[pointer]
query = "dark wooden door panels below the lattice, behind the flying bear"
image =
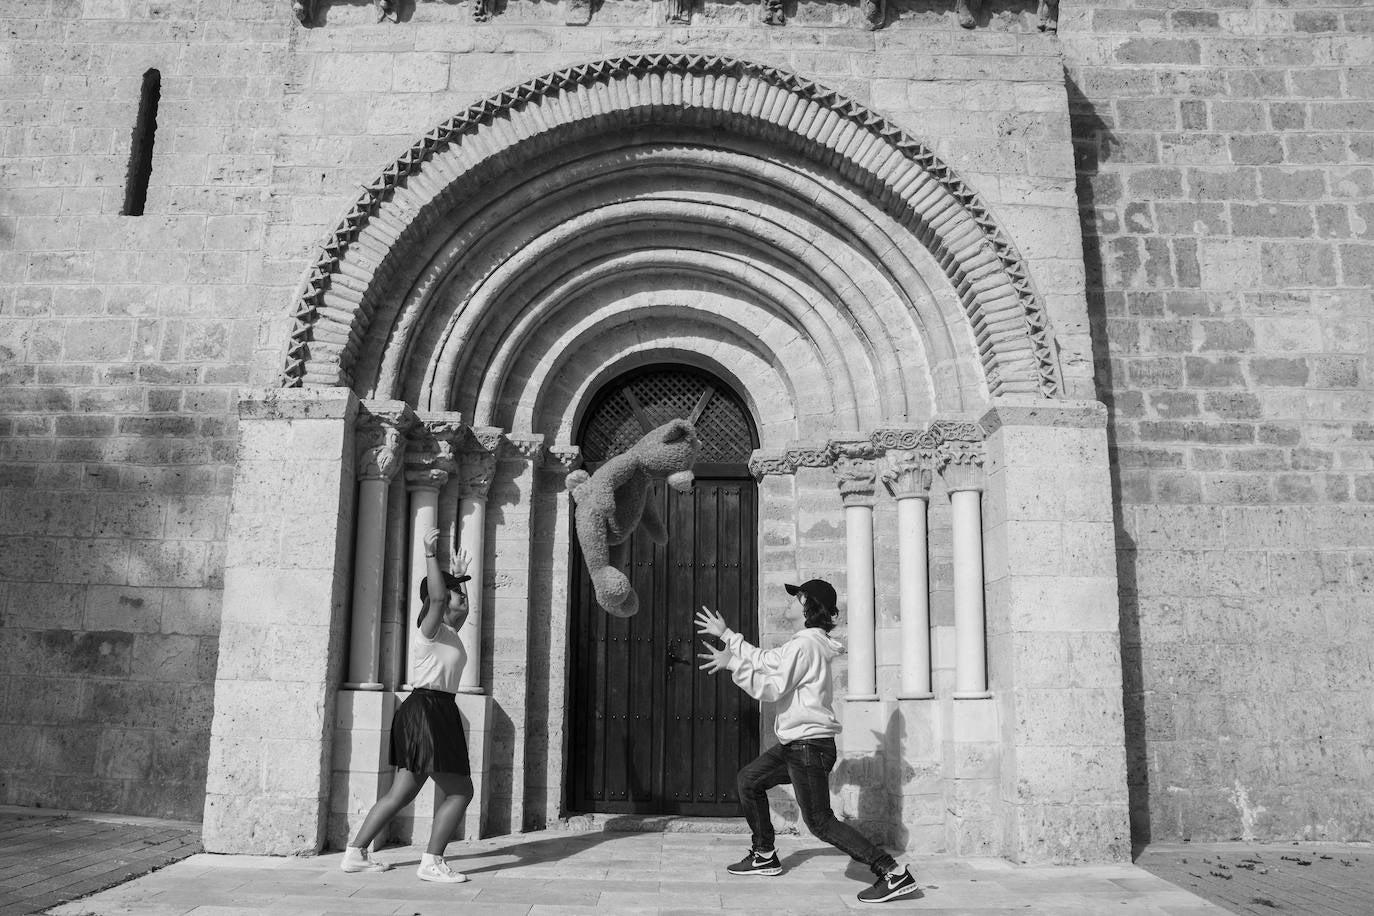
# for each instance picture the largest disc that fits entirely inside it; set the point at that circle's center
(651, 734)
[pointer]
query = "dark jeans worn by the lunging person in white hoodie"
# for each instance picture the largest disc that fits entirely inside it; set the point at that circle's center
(807, 766)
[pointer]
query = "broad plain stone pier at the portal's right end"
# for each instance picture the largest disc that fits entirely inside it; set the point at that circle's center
(1053, 617)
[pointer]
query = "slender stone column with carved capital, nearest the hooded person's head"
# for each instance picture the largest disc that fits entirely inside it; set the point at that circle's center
(857, 474)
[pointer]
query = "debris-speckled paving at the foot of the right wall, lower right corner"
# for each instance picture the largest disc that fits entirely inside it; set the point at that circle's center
(1270, 878)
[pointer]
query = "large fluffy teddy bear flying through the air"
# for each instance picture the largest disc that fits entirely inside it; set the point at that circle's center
(615, 501)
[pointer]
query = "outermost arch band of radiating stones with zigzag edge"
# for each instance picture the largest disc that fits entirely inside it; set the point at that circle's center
(1011, 325)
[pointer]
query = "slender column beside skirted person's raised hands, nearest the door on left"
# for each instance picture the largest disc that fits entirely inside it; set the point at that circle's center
(477, 466)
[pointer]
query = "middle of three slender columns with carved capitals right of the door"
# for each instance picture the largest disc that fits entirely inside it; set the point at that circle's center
(908, 479)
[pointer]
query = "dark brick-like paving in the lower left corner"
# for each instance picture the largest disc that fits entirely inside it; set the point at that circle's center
(49, 858)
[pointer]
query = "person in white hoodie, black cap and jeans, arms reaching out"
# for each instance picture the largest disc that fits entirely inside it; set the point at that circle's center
(798, 678)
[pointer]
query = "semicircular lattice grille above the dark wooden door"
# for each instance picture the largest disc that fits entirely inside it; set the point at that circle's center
(649, 400)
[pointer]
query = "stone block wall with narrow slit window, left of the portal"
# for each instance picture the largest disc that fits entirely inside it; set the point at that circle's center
(123, 341)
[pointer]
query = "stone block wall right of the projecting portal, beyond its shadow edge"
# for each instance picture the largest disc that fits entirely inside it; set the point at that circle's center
(1226, 175)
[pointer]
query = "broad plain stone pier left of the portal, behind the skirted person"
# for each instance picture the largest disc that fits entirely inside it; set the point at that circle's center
(286, 586)
